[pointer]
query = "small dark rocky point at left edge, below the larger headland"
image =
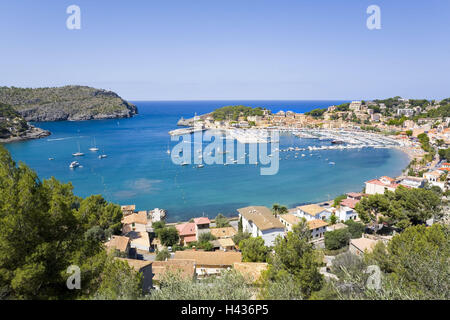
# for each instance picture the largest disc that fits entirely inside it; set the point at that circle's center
(13, 127)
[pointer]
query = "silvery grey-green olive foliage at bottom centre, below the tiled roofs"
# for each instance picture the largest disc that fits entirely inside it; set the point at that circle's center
(230, 285)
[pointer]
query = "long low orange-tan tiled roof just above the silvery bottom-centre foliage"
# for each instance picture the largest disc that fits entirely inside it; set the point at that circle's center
(210, 258)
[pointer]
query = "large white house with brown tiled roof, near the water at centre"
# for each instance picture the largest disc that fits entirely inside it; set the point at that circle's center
(260, 222)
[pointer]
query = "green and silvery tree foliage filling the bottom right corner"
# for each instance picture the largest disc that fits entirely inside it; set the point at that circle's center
(414, 265)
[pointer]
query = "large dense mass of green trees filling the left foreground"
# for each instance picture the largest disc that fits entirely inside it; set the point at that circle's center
(45, 228)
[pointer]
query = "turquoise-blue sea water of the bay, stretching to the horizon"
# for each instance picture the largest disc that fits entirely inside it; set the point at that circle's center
(139, 171)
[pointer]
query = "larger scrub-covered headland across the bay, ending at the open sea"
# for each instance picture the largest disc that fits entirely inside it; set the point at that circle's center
(66, 103)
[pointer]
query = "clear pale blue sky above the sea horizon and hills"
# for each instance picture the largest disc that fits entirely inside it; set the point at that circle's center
(230, 49)
